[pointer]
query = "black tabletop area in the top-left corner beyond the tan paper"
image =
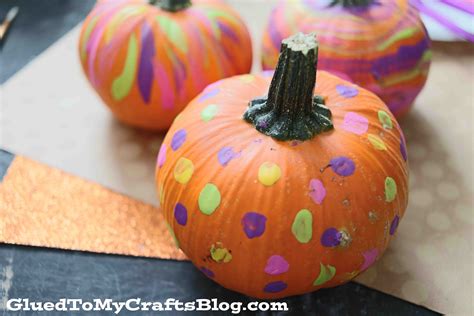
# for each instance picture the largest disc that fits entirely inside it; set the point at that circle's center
(39, 24)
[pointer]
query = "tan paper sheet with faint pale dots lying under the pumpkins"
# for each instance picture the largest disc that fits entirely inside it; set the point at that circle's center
(50, 113)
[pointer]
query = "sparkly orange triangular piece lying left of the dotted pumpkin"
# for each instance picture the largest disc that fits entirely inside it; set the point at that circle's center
(43, 206)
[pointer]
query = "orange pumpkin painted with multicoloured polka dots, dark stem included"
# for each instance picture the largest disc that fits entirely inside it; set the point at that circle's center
(287, 193)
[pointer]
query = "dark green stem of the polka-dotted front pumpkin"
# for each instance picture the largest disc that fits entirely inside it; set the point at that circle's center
(291, 111)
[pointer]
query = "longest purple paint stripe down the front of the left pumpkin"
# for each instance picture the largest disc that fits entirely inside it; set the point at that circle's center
(145, 70)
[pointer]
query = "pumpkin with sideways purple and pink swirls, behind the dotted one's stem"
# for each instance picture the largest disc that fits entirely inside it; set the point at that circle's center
(380, 45)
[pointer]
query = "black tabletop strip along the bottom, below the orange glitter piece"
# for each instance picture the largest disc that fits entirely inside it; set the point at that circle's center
(47, 274)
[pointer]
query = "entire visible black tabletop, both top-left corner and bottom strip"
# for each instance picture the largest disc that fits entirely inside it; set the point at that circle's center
(46, 274)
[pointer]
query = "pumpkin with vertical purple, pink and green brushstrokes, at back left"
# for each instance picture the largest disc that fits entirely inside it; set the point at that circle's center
(147, 61)
